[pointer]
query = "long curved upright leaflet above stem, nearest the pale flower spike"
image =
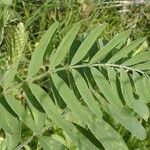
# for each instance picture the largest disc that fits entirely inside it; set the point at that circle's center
(38, 54)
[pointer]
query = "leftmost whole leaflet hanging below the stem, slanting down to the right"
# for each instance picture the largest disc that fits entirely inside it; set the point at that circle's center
(21, 113)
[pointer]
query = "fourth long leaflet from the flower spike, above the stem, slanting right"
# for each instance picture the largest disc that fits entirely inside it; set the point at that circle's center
(118, 39)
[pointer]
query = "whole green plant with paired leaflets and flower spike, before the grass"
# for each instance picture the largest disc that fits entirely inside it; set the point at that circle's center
(71, 94)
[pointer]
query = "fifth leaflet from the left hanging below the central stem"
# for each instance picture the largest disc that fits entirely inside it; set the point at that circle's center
(105, 88)
